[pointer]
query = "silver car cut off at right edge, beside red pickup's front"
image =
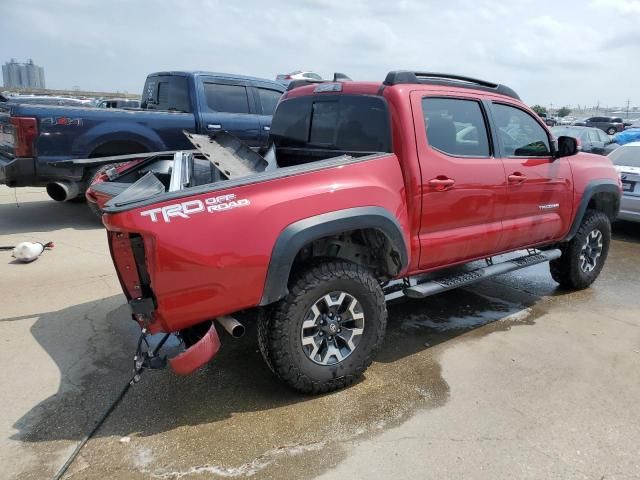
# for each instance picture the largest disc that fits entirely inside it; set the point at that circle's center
(627, 161)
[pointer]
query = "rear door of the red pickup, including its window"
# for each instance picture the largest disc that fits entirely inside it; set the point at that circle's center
(463, 185)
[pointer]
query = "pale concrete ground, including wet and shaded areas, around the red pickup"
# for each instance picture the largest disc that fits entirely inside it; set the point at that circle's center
(512, 378)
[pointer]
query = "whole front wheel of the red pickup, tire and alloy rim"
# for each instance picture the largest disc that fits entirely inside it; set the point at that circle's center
(584, 256)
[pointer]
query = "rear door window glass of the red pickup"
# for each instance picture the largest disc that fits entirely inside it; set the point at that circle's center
(456, 127)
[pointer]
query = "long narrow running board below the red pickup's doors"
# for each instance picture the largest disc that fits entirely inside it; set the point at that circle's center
(459, 280)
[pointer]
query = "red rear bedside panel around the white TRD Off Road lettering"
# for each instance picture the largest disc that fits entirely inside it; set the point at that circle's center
(215, 263)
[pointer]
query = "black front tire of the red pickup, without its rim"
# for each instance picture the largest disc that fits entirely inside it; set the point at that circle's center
(566, 269)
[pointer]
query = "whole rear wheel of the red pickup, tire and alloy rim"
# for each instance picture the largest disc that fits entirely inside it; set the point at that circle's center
(323, 335)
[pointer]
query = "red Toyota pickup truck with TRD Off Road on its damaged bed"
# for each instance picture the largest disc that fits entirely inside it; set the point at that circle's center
(375, 190)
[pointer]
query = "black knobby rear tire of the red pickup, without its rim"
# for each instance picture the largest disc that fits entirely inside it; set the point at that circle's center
(279, 327)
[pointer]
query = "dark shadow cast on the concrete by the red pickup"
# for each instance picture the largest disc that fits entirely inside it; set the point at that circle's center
(92, 345)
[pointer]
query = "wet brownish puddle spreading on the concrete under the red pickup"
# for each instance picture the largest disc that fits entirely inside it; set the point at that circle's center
(233, 419)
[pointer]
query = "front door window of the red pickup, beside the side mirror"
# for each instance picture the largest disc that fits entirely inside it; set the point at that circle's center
(520, 134)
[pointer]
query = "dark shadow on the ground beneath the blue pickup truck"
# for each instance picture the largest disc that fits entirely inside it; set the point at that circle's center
(45, 216)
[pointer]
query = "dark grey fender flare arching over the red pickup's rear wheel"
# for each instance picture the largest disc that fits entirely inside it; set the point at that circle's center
(300, 233)
